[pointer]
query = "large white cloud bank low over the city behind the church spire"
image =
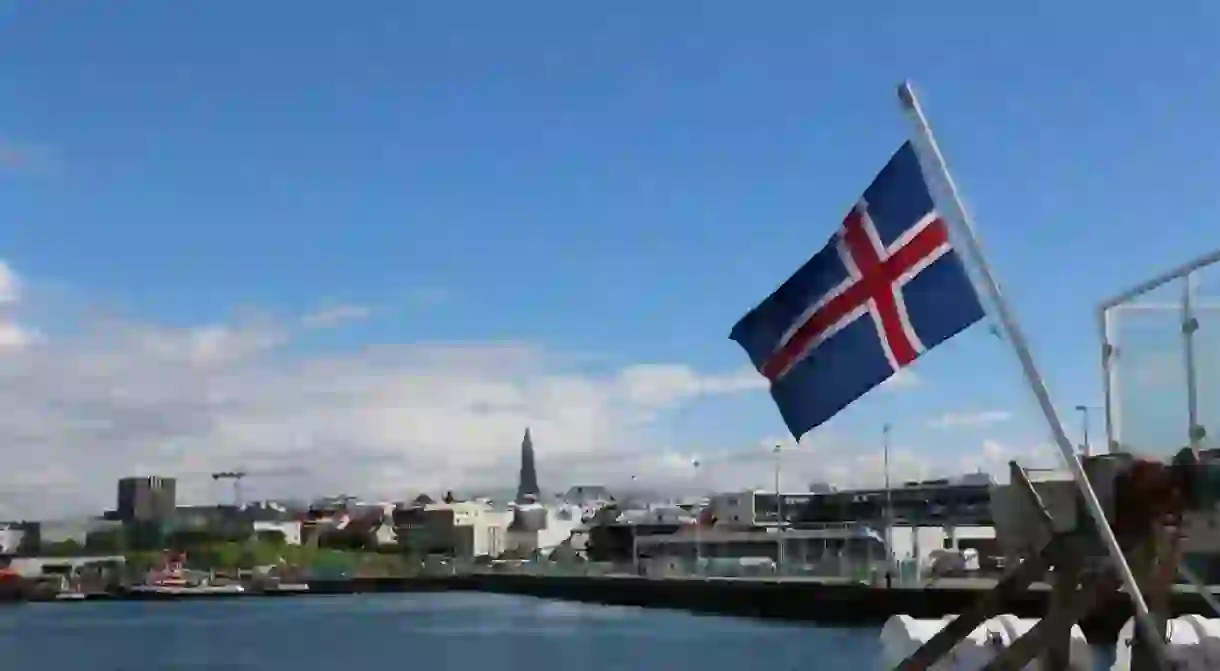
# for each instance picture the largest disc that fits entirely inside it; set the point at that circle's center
(121, 398)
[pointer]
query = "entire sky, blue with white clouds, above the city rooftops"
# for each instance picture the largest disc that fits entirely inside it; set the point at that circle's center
(380, 242)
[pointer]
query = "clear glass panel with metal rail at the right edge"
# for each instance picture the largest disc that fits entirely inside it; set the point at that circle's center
(1161, 362)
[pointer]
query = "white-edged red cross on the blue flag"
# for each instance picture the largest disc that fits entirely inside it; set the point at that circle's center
(875, 286)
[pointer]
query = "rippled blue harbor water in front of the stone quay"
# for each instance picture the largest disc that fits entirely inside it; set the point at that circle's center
(409, 631)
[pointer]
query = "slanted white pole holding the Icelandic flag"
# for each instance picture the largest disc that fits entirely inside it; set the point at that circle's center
(1038, 385)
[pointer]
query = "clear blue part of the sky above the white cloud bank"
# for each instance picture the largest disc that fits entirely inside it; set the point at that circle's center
(615, 182)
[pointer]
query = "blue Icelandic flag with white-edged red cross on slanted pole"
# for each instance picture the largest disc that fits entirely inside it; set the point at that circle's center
(886, 289)
